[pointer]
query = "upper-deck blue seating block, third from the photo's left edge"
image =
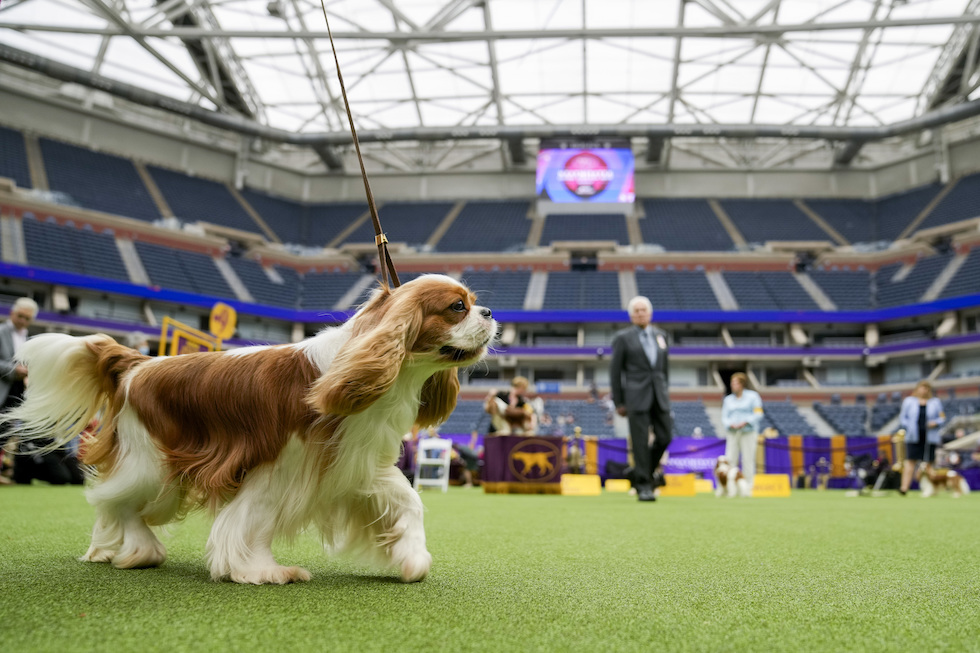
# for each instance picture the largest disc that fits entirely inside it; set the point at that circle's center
(195, 199)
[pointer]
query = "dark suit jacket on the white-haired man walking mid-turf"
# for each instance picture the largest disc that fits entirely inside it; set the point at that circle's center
(635, 383)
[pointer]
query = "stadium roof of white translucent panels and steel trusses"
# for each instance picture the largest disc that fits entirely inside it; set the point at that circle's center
(443, 85)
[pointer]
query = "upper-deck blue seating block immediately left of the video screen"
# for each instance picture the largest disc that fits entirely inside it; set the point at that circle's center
(487, 226)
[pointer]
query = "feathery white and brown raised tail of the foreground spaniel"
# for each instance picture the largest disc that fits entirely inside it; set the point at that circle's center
(70, 381)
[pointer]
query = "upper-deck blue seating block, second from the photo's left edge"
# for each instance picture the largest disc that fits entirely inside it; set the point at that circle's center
(97, 181)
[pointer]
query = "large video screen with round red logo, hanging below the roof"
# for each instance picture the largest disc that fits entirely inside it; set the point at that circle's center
(585, 172)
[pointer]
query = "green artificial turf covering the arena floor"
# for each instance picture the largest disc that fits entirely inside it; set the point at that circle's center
(819, 571)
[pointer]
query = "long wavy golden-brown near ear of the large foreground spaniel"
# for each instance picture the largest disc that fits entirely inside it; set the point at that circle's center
(369, 363)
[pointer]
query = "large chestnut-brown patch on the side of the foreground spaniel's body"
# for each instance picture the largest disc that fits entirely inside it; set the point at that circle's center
(217, 416)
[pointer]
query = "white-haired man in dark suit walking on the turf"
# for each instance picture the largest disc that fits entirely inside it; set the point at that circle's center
(638, 374)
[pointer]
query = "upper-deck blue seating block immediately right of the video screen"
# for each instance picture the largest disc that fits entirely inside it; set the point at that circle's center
(684, 225)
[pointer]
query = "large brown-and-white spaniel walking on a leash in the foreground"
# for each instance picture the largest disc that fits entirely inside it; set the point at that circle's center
(273, 439)
